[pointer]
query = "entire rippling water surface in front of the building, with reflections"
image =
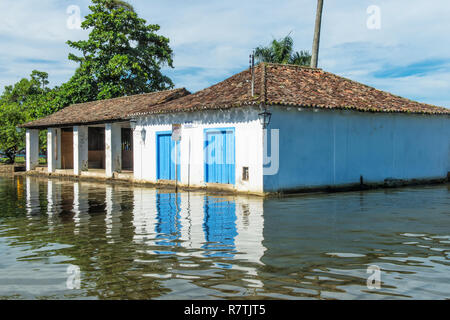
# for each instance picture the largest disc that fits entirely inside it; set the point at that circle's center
(138, 243)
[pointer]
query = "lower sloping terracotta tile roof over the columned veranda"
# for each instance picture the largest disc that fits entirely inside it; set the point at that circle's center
(105, 110)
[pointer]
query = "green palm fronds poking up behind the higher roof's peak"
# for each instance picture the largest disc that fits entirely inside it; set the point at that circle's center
(282, 51)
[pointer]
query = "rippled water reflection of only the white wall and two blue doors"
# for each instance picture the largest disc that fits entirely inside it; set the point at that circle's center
(207, 226)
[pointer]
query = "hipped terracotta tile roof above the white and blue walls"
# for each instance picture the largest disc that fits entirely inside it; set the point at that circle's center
(290, 85)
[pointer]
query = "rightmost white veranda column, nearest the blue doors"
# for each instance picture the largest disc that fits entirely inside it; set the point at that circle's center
(113, 149)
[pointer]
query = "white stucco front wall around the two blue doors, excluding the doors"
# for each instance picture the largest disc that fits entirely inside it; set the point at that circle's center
(248, 140)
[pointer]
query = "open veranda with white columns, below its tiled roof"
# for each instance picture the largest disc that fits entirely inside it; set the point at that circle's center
(96, 150)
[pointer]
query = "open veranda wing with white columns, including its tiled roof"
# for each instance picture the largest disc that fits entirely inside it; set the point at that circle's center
(93, 138)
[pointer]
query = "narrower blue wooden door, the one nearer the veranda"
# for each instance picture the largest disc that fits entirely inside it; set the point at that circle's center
(165, 161)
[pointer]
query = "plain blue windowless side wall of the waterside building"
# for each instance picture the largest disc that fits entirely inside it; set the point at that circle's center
(332, 148)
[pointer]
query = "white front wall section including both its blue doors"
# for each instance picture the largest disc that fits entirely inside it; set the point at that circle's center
(214, 149)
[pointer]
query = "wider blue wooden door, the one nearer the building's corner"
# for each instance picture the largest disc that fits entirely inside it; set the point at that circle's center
(220, 156)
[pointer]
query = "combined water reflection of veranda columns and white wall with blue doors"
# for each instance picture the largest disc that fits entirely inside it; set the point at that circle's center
(207, 226)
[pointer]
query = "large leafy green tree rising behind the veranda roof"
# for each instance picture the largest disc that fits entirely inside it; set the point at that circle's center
(123, 55)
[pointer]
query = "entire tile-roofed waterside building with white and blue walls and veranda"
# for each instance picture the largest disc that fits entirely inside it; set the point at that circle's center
(298, 129)
